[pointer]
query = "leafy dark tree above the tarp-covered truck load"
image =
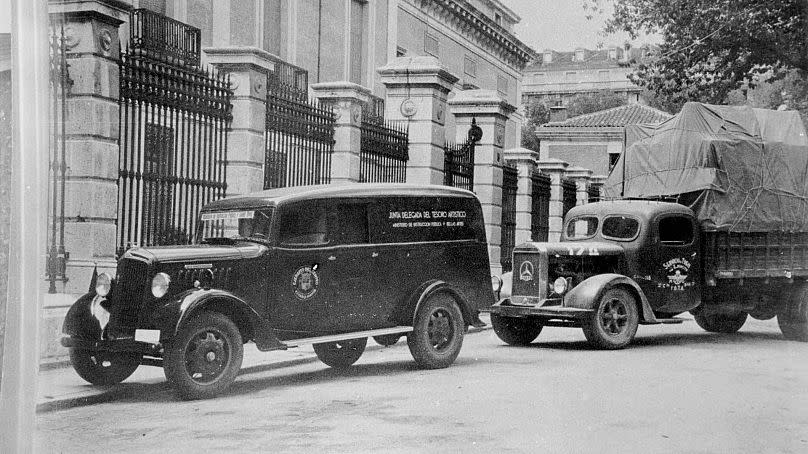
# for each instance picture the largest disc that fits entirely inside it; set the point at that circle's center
(711, 47)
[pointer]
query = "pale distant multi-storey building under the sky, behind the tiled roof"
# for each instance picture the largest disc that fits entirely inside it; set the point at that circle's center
(558, 76)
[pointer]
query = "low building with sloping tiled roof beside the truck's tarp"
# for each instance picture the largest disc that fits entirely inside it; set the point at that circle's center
(594, 141)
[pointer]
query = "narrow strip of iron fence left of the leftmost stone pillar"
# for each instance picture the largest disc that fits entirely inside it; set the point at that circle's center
(59, 85)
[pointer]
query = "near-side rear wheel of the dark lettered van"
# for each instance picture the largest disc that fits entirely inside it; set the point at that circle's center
(437, 333)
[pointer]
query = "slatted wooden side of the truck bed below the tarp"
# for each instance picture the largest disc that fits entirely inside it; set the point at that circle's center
(732, 255)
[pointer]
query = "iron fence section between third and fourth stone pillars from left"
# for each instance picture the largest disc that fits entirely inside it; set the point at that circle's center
(384, 149)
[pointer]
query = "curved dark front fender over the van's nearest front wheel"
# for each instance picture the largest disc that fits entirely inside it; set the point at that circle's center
(179, 310)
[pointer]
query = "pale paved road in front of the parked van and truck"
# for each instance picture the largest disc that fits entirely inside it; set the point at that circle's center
(677, 389)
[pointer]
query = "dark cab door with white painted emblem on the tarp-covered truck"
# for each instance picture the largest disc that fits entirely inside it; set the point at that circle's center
(675, 264)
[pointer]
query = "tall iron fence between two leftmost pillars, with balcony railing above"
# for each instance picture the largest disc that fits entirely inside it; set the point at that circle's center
(174, 117)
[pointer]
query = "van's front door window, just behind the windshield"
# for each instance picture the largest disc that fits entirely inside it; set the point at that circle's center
(304, 224)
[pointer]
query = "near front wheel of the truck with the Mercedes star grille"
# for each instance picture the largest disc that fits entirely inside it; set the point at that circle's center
(614, 321)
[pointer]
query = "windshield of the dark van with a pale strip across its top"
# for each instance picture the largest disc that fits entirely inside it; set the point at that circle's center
(240, 224)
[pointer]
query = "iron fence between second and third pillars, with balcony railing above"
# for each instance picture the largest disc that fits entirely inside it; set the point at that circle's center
(299, 133)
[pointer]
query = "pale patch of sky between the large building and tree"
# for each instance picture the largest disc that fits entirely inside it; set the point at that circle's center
(561, 25)
